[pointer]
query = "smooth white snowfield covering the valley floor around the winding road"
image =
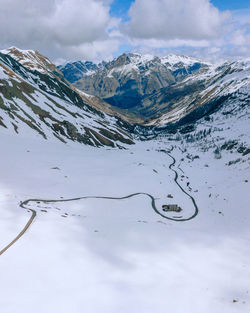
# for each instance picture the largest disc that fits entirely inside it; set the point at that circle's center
(96, 255)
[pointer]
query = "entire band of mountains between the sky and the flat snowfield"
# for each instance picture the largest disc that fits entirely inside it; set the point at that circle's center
(107, 103)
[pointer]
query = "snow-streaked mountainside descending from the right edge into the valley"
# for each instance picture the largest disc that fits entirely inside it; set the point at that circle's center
(199, 94)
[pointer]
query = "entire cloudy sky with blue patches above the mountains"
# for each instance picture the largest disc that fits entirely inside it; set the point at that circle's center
(101, 29)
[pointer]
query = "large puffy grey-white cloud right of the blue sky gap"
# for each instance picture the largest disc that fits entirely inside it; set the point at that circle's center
(174, 19)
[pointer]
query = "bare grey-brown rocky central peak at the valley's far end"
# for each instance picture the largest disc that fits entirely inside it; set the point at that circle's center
(124, 81)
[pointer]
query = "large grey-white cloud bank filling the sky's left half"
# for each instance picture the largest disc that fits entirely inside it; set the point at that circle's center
(56, 27)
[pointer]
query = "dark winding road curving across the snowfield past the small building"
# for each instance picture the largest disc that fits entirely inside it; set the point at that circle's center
(153, 204)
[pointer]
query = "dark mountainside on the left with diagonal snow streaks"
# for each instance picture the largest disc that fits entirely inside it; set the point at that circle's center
(36, 99)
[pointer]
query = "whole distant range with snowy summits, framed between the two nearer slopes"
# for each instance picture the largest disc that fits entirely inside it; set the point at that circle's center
(126, 80)
